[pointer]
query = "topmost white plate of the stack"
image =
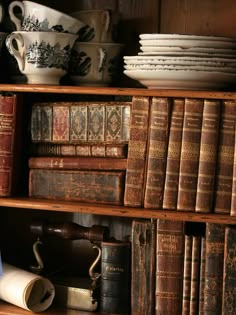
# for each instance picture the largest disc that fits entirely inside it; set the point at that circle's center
(184, 36)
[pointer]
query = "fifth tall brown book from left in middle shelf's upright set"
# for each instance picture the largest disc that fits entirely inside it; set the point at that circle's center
(208, 155)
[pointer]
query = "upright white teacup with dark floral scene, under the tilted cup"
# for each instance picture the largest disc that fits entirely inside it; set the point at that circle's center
(43, 57)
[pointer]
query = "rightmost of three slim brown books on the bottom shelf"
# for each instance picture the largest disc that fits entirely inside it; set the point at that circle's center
(202, 276)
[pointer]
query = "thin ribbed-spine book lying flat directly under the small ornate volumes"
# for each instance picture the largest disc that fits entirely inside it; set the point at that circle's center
(91, 150)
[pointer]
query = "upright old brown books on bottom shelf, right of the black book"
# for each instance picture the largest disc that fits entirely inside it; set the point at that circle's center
(184, 268)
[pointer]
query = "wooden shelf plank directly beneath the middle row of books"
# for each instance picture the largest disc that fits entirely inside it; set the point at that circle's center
(64, 206)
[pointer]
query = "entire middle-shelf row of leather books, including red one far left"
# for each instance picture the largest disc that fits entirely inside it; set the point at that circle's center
(152, 152)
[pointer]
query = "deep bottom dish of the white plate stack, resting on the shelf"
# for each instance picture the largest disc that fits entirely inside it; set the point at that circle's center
(182, 79)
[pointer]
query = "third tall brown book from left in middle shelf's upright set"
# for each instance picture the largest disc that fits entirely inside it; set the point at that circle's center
(173, 155)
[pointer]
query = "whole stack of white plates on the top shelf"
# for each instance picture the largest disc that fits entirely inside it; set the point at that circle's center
(183, 62)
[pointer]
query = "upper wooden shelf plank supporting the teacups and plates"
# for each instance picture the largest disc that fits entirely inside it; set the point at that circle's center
(60, 89)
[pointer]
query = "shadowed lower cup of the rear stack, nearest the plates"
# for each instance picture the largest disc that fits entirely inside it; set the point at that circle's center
(95, 64)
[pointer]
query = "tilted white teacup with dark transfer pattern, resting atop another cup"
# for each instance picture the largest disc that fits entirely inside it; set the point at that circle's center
(38, 17)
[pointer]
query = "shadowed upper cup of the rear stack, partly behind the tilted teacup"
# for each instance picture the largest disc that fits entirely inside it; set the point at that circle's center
(98, 25)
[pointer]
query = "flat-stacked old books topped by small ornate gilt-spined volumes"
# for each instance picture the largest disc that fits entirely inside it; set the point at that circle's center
(79, 151)
